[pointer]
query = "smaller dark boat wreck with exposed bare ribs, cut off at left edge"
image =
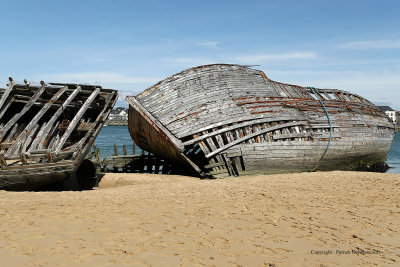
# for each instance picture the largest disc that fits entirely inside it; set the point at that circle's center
(46, 130)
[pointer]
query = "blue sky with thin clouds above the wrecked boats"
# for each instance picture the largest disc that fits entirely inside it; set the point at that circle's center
(131, 45)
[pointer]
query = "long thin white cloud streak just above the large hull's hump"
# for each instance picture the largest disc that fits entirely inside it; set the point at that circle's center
(275, 57)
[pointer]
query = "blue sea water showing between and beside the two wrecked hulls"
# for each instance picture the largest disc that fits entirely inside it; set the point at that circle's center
(120, 135)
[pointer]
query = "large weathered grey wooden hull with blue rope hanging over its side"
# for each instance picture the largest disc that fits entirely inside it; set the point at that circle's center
(226, 120)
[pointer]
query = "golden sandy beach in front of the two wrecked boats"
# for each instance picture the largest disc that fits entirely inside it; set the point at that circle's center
(308, 219)
